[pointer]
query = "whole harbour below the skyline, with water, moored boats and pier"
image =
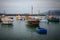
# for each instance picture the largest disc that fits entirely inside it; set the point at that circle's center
(29, 27)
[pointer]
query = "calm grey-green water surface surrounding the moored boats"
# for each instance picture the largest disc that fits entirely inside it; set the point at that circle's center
(19, 31)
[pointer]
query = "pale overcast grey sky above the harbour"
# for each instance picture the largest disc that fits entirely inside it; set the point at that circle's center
(24, 6)
